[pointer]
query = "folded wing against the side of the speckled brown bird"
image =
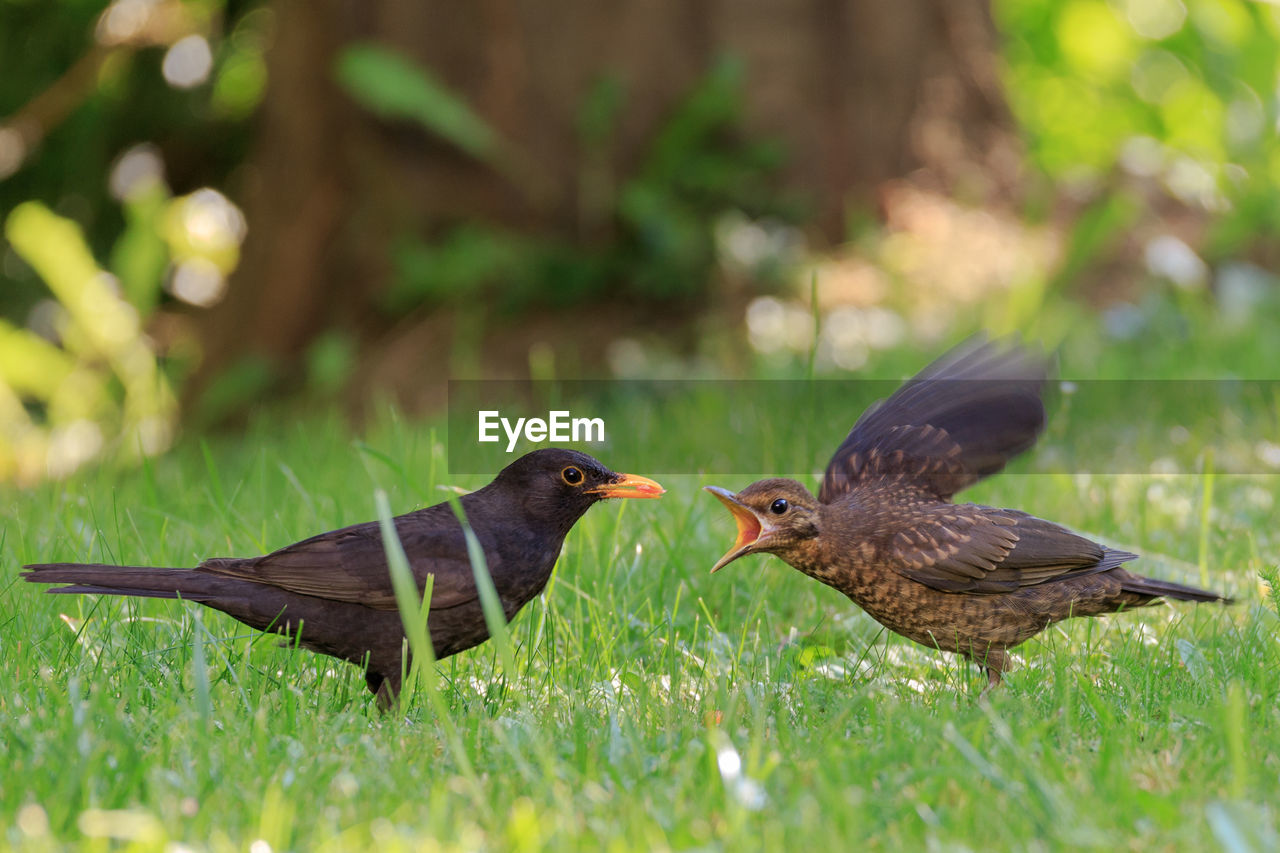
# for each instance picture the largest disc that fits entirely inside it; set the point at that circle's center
(981, 550)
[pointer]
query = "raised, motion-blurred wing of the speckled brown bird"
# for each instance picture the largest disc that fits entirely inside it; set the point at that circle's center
(959, 421)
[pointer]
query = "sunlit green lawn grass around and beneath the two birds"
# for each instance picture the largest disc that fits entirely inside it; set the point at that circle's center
(651, 706)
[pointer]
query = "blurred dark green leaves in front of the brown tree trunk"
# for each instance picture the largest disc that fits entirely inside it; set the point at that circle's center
(659, 221)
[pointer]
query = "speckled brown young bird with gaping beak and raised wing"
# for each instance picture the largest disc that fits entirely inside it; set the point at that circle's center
(968, 580)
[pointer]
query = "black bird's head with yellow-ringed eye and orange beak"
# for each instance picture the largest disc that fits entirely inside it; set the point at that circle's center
(563, 485)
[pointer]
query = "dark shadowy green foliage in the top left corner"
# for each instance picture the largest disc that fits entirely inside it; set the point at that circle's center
(113, 95)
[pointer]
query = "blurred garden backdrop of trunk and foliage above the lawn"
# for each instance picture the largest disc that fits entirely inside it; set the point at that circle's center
(216, 208)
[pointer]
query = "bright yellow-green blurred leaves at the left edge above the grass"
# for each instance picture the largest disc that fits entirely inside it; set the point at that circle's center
(99, 378)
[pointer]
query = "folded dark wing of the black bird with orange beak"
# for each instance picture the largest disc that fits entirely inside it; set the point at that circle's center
(350, 564)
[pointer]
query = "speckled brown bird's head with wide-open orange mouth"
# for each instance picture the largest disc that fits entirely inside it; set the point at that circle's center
(772, 517)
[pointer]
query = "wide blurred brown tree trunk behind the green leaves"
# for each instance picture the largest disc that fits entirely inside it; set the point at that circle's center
(860, 94)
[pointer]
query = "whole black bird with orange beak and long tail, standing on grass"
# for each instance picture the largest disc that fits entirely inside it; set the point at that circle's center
(335, 591)
